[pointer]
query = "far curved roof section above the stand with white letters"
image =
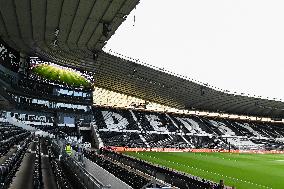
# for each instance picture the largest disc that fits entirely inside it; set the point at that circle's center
(155, 85)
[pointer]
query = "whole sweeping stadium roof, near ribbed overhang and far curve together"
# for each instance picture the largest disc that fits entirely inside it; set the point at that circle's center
(71, 33)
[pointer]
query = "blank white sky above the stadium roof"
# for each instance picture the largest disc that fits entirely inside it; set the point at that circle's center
(236, 45)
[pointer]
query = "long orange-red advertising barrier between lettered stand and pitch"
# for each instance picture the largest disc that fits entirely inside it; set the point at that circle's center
(125, 149)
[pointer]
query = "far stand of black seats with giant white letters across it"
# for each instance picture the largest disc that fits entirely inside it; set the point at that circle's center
(181, 131)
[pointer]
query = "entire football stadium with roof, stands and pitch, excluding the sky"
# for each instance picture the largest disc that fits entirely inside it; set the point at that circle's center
(74, 115)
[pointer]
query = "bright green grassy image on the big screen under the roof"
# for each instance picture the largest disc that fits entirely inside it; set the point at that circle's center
(60, 75)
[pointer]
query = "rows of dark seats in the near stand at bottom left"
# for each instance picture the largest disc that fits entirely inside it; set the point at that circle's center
(28, 162)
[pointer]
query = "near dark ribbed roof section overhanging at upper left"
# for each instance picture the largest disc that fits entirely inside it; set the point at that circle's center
(60, 30)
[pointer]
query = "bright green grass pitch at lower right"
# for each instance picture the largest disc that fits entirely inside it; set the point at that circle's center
(244, 171)
